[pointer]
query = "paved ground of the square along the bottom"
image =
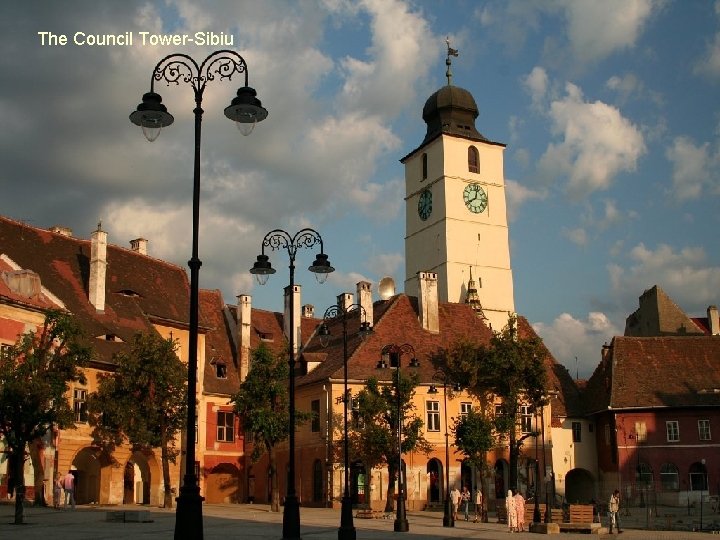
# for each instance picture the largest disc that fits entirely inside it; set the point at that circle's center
(256, 521)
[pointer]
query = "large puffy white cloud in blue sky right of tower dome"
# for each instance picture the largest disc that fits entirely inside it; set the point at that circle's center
(597, 143)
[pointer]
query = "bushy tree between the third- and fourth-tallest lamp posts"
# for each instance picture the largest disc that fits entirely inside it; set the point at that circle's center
(374, 436)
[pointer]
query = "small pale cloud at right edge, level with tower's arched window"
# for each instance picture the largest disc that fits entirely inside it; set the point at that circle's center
(695, 168)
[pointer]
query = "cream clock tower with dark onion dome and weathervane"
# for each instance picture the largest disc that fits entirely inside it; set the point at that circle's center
(455, 212)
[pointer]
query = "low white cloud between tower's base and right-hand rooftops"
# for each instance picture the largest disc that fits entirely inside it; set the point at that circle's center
(569, 338)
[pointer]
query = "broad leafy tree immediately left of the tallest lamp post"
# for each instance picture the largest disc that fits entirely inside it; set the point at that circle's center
(144, 400)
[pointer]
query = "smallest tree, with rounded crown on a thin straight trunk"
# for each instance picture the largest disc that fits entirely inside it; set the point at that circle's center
(474, 437)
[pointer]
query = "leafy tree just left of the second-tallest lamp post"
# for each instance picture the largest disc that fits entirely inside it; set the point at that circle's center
(262, 404)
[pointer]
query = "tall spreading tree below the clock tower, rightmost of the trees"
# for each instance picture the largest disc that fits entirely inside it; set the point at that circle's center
(511, 368)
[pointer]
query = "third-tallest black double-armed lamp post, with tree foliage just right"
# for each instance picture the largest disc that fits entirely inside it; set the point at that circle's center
(347, 528)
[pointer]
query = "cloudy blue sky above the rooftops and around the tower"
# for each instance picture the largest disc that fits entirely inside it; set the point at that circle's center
(609, 111)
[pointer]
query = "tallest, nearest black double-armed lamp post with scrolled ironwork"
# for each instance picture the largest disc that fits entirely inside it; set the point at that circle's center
(151, 115)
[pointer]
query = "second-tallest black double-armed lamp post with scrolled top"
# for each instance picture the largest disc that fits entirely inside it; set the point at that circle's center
(262, 269)
